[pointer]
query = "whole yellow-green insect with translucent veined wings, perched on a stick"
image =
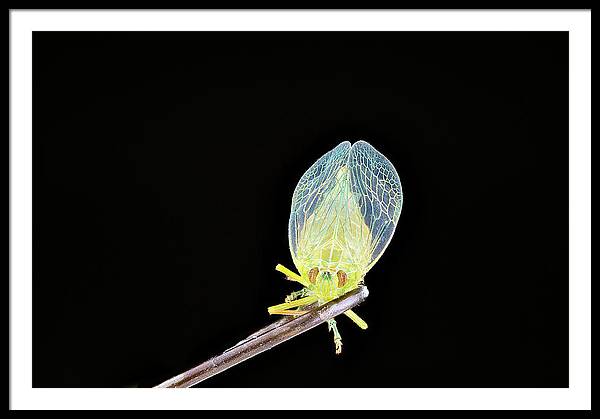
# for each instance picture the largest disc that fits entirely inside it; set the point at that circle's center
(344, 212)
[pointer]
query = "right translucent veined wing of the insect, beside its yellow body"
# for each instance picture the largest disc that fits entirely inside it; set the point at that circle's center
(376, 187)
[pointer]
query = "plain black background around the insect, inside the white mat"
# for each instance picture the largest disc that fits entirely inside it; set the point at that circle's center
(164, 165)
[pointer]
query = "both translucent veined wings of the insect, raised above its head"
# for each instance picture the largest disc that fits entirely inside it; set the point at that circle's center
(345, 210)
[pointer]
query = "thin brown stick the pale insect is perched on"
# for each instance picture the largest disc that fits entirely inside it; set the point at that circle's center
(267, 338)
